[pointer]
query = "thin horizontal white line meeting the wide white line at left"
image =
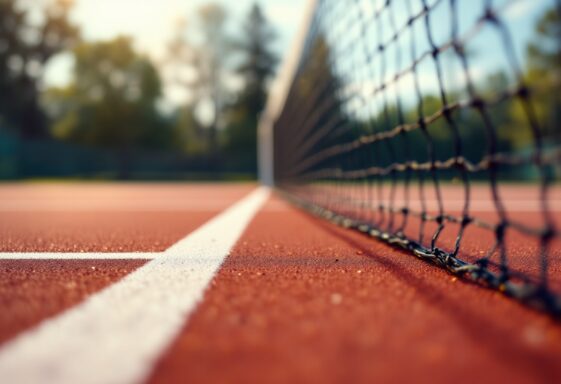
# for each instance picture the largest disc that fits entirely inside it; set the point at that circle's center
(79, 255)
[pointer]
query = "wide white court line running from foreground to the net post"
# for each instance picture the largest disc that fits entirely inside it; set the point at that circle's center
(117, 335)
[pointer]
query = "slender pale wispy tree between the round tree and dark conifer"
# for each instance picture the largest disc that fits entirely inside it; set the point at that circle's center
(199, 58)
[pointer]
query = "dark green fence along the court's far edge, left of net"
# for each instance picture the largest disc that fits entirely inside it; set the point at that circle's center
(24, 159)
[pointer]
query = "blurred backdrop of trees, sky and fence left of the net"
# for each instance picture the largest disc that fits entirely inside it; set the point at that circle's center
(167, 89)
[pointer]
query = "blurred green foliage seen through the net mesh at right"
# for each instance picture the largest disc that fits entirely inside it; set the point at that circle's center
(512, 127)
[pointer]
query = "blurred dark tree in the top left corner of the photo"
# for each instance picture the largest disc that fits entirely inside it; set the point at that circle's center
(25, 49)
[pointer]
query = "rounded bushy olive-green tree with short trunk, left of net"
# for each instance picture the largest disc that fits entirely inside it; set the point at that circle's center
(111, 102)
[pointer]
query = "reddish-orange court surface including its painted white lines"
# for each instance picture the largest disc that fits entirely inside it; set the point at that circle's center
(228, 283)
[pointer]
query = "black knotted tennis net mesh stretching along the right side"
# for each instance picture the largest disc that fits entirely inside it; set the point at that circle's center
(409, 120)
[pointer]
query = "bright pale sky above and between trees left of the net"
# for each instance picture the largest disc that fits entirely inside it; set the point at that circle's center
(151, 24)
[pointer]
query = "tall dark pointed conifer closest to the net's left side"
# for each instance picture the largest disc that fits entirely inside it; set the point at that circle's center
(257, 65)
